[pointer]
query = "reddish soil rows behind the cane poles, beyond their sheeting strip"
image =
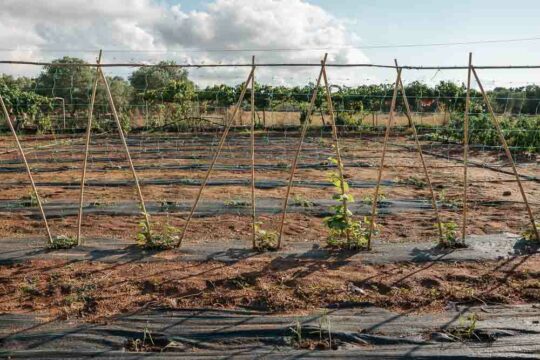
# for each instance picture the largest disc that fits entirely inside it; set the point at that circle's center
(401, 164)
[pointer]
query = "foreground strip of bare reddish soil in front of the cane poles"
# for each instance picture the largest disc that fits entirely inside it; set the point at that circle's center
(96, 291)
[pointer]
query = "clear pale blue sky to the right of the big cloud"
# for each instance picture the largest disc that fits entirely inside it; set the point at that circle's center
(389, 22)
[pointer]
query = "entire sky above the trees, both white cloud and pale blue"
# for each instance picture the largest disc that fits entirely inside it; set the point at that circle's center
(189, 31)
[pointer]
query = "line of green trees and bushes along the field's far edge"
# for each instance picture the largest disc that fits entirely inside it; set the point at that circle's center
(164, 94)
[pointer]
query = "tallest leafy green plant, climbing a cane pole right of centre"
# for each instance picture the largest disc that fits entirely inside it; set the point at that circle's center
(344, 232)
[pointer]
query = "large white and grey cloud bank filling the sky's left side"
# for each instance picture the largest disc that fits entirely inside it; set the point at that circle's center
(151, 31)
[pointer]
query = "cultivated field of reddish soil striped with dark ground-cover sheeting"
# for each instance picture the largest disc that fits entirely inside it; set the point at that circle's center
(406, 296)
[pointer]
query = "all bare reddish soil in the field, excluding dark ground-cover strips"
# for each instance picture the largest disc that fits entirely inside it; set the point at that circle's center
(94, 290)
